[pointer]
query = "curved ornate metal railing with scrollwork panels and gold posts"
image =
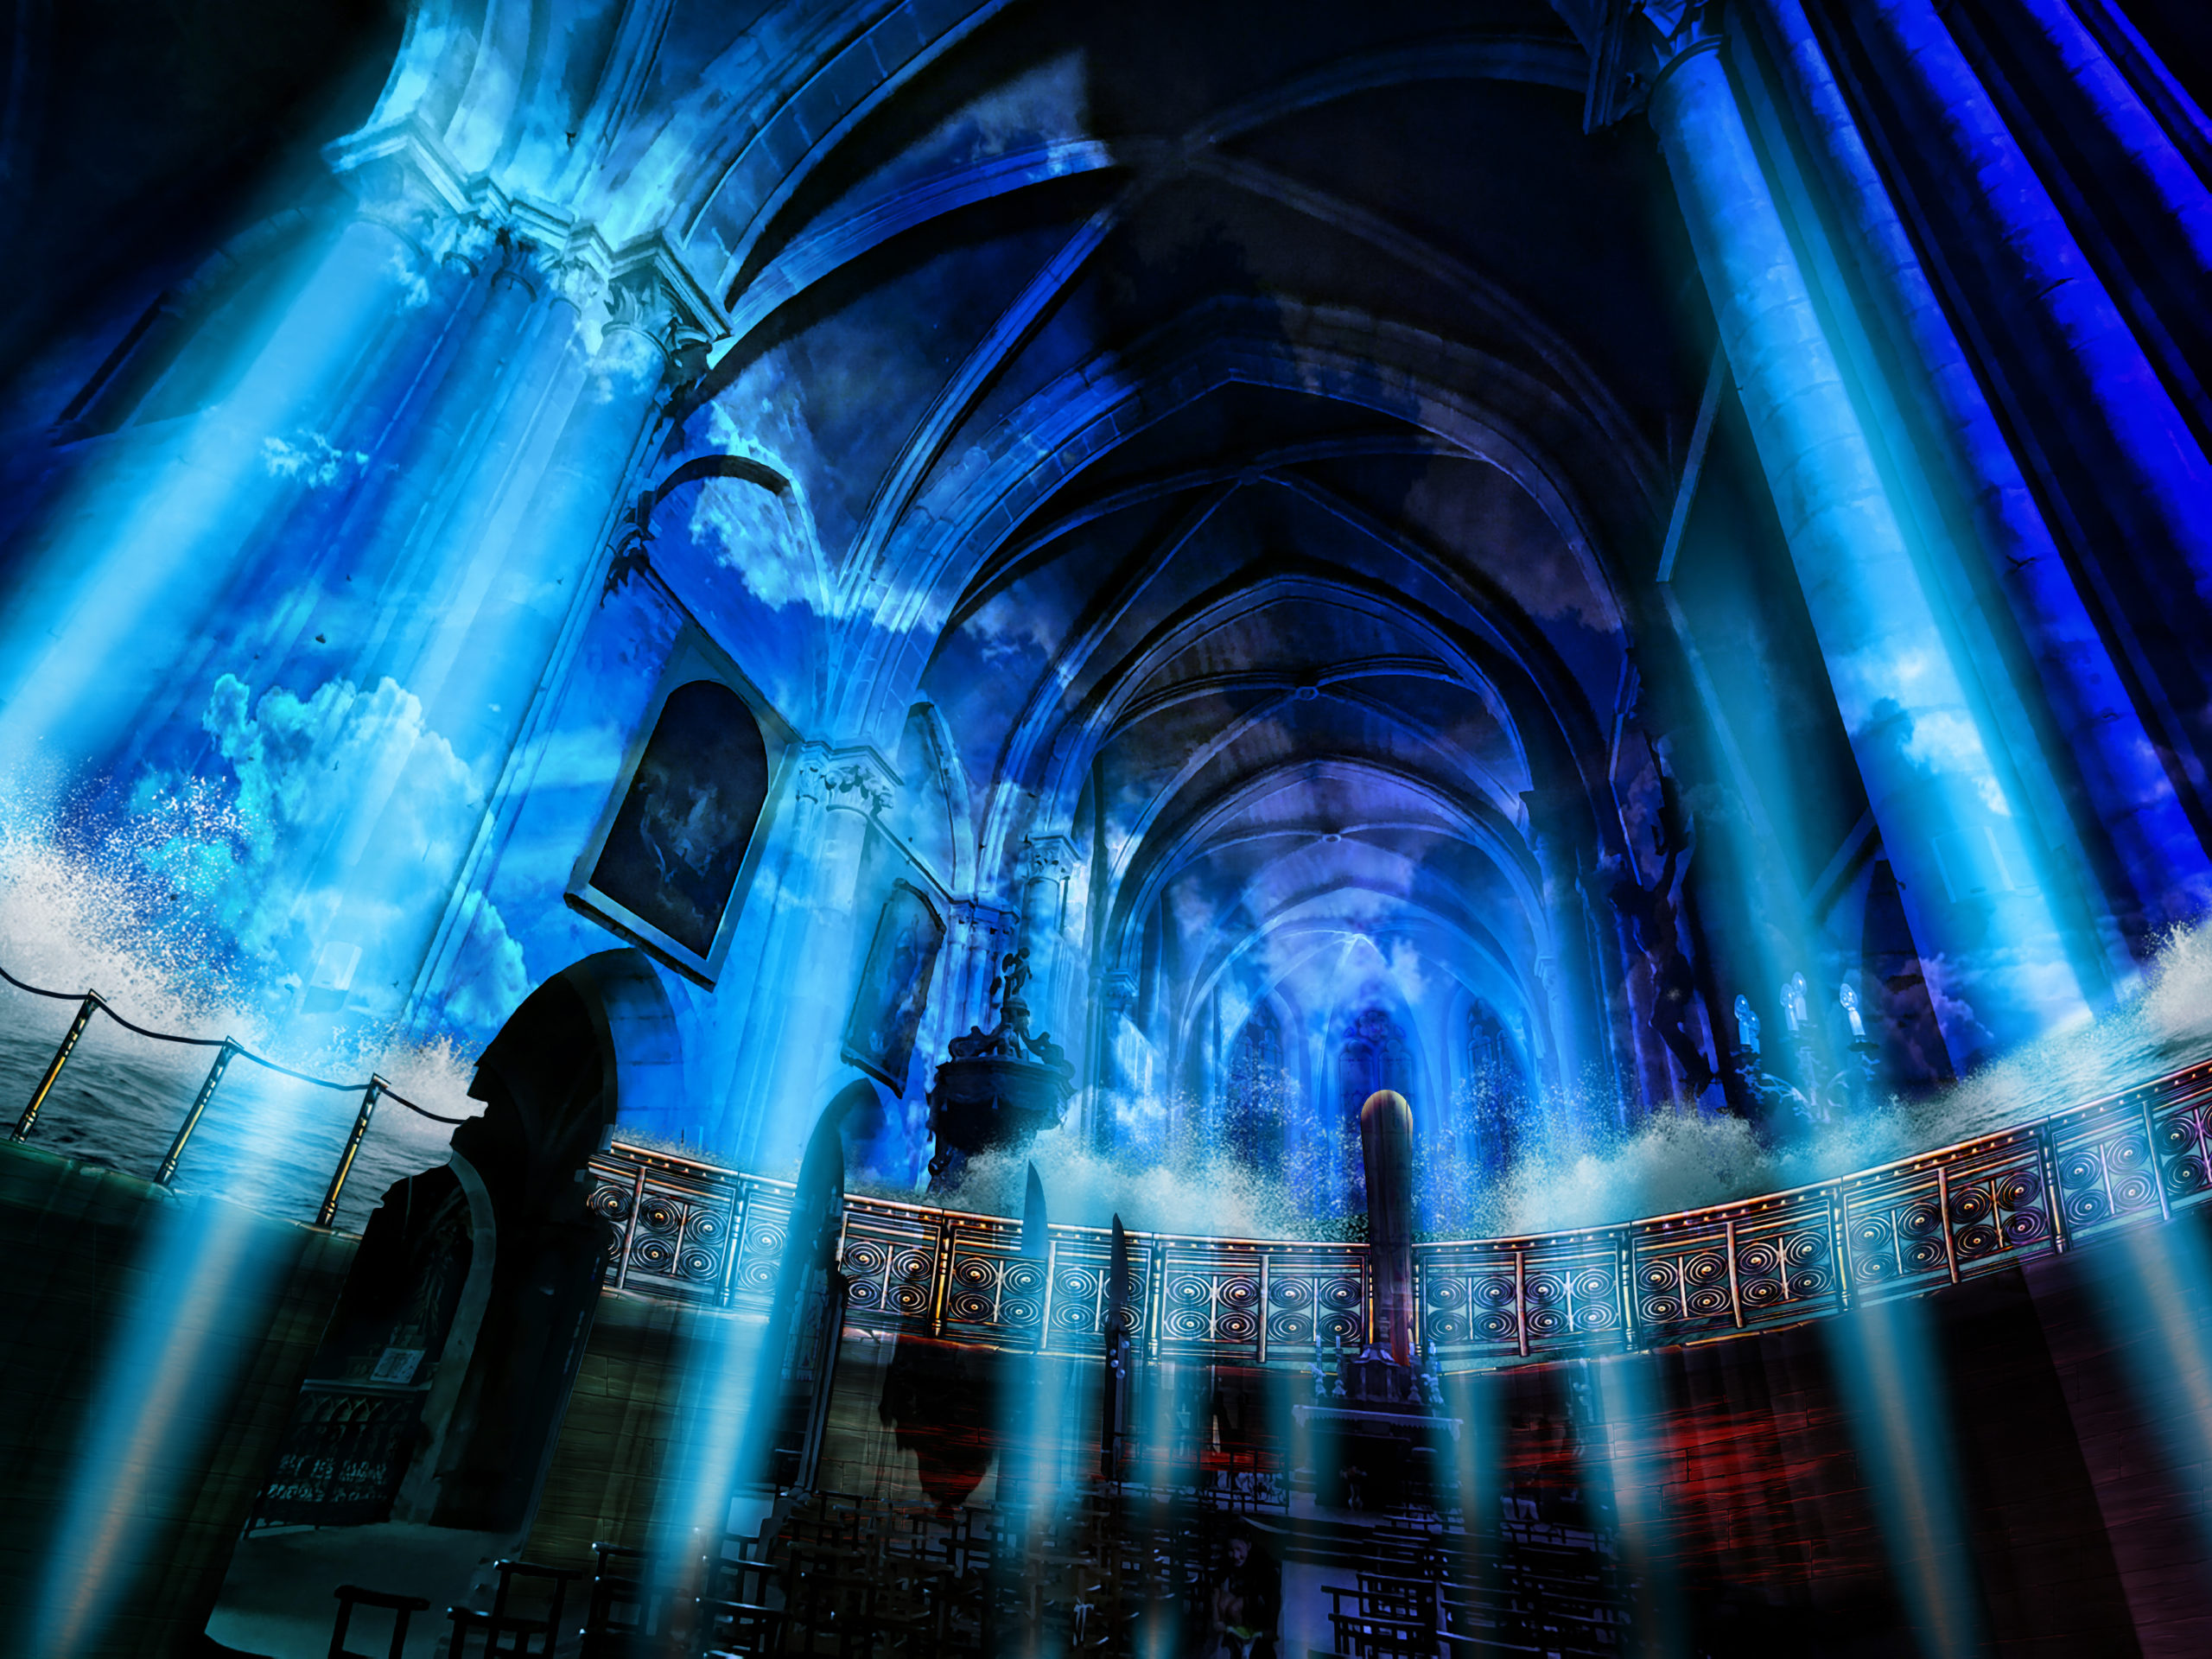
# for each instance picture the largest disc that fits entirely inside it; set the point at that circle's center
(702, 1233)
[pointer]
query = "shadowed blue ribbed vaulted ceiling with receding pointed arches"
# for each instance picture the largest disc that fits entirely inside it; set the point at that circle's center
(1238, 430)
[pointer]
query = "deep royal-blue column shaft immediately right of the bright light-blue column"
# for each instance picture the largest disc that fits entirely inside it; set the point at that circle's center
(2114, 753)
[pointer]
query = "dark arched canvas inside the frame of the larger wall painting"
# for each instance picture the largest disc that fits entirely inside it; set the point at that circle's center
(682, 833)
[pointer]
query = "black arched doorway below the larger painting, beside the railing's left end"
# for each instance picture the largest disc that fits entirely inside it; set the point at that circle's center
(439, 1392)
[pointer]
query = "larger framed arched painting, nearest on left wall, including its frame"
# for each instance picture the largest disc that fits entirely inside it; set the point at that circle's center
(676, 848)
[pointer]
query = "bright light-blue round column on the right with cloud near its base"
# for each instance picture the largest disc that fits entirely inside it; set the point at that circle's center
(1987, 932)
